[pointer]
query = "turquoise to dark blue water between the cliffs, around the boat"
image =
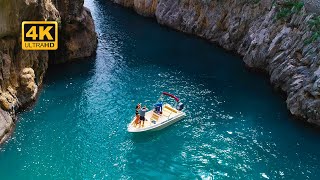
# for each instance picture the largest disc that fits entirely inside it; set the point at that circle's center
(237, 127)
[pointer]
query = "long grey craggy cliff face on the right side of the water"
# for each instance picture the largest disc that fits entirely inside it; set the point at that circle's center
(260, 31)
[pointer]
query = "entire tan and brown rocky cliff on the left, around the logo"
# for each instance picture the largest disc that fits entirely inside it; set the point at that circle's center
(22, 72)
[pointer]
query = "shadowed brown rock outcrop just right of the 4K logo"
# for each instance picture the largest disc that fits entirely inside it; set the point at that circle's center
(78, 38)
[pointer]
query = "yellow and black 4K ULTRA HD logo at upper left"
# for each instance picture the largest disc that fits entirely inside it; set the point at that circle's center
(39, 35)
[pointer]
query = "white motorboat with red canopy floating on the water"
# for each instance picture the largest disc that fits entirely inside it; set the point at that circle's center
(160, 118)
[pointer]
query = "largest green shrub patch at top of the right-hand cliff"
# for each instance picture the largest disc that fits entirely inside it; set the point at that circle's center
(287, 8)
